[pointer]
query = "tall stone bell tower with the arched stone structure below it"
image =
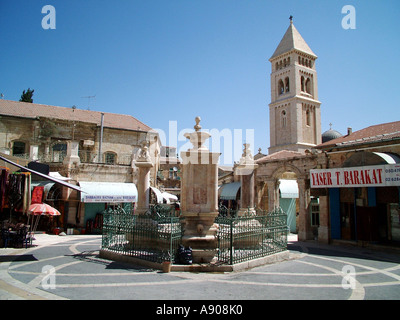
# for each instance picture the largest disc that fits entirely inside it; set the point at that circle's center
(295, 129)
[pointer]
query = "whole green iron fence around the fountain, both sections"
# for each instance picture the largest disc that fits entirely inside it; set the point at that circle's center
(157, 235)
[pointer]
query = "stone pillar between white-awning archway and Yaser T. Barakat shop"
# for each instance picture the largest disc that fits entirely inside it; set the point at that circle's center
(305, 232)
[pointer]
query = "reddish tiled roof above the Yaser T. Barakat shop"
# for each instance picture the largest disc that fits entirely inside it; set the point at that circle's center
(375, 133)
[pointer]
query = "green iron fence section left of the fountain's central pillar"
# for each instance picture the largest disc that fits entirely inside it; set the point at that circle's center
(149, 237)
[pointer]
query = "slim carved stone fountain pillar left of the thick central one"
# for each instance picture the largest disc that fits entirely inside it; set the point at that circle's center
(144, 164)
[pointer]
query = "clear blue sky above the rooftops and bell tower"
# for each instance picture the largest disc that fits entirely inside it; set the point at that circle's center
(173, 60)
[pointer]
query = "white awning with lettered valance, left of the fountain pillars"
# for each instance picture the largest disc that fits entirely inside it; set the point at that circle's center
(108, 192)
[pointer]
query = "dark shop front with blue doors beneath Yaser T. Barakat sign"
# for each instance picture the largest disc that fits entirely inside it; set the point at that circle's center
(363, 202)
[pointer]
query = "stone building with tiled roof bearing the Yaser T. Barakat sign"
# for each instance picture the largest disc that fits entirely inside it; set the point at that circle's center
(360, 186)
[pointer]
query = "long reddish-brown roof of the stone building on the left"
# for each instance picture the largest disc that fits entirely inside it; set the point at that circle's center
(34, 110)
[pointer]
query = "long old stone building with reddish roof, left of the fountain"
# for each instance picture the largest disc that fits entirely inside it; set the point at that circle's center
(92, 149)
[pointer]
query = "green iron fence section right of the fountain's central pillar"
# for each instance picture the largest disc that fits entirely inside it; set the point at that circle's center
(251, 236)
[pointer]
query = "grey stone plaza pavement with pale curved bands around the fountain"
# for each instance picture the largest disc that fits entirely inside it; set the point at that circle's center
(69, 267)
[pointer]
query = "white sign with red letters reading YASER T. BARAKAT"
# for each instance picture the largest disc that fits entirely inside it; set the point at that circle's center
(370, 176)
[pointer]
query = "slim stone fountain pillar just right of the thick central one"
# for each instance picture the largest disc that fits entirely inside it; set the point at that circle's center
(245, 170)
